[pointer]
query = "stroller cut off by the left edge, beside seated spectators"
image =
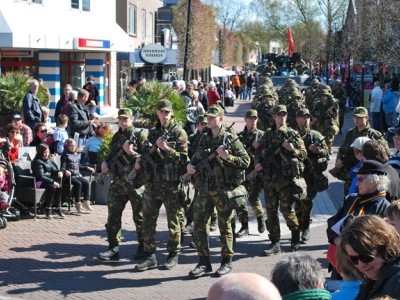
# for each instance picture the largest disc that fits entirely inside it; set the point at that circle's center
(7, 195)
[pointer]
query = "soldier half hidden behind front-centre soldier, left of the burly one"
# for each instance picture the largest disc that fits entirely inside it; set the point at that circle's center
(250, 137)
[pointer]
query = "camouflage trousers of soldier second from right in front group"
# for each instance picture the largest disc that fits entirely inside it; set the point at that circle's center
(279, 197)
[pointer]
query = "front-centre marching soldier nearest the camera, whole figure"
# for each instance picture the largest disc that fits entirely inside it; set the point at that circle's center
(220, 184)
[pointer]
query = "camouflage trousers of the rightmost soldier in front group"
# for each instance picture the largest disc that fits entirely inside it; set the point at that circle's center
(303, 208)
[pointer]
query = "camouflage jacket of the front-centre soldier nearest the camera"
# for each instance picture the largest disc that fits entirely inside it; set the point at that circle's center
(220, 174)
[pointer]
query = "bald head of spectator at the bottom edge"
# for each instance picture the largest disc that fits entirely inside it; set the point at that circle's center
(243, 286)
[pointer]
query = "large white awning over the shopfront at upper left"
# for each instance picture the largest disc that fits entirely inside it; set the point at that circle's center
(58, 29)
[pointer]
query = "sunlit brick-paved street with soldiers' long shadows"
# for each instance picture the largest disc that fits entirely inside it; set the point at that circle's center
(57, 259)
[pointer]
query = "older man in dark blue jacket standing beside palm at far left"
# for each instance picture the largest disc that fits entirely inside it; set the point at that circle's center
(31, 107)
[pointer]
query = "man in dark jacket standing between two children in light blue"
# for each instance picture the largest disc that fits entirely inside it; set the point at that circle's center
(79, 118)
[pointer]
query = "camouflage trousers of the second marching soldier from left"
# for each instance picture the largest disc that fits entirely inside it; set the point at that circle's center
(169, 194)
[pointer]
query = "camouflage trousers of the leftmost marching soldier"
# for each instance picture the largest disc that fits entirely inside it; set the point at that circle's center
(118, 195)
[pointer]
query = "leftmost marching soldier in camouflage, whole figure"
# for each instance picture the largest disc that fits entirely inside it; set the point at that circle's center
(118, 162)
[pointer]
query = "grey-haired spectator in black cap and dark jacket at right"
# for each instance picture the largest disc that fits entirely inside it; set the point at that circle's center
(370, 199)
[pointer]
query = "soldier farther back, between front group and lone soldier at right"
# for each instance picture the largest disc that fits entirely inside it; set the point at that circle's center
(325, 116)
